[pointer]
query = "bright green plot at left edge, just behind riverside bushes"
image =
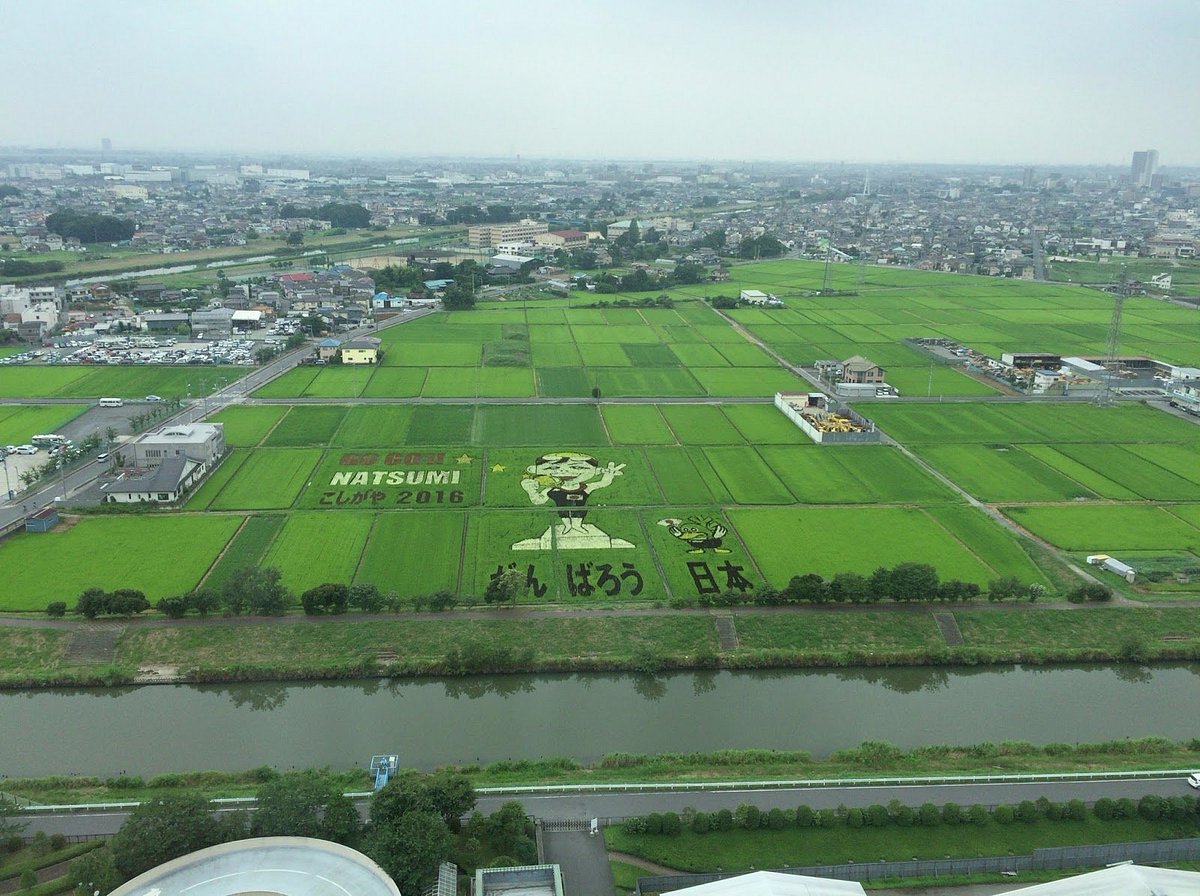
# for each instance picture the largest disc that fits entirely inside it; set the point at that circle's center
(158, 555)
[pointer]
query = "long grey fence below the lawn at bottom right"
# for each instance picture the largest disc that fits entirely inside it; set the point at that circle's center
(1049, 859)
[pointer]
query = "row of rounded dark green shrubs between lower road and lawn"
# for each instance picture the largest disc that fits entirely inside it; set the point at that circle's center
(896, 814)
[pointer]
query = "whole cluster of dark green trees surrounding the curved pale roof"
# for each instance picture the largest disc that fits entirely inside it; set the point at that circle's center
(413, 826)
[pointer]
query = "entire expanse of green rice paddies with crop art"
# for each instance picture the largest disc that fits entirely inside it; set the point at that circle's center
(683, 480)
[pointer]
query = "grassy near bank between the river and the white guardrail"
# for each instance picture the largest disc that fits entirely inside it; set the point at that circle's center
(869, 761)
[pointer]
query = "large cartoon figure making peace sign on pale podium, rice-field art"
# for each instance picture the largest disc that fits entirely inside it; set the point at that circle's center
(567, 479)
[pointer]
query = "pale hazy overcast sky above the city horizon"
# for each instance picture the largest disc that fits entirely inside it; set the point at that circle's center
(1022, 82)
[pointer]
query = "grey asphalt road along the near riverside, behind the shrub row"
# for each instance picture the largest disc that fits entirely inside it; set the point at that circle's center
(625, 803)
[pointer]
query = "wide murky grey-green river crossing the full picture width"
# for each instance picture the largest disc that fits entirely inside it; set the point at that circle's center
(151, 730)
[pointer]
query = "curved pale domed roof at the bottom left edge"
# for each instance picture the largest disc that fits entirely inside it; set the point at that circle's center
(266, 867)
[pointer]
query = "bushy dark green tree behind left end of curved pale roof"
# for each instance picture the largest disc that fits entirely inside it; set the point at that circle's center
(161, 831)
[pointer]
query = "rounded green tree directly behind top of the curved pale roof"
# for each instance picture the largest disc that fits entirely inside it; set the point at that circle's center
(304, 804)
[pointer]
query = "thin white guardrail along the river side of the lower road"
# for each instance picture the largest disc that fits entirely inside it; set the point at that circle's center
(679, 786)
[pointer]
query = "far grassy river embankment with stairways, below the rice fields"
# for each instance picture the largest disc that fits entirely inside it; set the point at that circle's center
(39, 653)
